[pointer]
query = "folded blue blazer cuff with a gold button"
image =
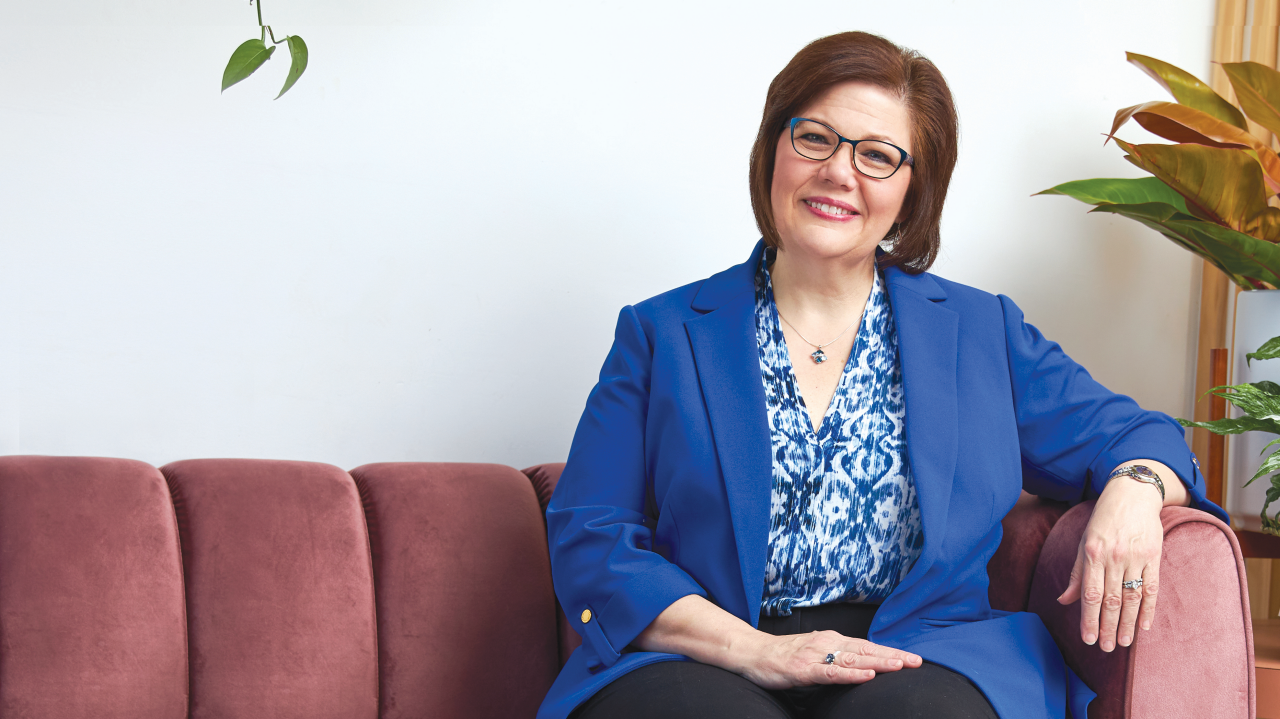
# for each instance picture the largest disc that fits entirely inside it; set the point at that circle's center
(630, 611)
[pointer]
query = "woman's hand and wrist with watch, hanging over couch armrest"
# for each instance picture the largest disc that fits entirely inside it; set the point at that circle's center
(1122, 542)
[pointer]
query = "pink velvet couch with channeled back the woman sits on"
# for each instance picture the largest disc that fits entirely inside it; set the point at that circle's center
(266, 590)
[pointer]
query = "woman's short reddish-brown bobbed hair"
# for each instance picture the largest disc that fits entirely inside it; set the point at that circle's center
(861, 57)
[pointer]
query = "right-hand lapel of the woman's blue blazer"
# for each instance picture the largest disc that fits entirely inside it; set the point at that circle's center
(927, 337)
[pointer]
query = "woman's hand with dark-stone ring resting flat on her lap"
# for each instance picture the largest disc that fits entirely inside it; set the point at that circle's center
(796, 661)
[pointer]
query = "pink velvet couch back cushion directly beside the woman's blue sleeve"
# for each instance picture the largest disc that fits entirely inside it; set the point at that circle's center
(467, 616)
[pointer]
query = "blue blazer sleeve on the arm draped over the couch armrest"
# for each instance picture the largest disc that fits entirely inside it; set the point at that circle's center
(1075, 432)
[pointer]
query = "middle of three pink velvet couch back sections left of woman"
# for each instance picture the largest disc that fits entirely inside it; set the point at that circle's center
(280, 590)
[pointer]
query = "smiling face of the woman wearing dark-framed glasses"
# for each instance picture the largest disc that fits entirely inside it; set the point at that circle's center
(861, 209)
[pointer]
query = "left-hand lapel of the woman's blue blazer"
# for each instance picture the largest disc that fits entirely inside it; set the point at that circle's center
(729, 369)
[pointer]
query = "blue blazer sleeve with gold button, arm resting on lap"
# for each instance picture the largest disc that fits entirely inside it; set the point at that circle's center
(598, 526)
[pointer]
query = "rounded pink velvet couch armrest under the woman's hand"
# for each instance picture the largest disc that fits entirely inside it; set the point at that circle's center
(1197, 660)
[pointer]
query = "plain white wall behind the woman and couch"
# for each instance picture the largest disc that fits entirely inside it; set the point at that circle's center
(332, 277)
